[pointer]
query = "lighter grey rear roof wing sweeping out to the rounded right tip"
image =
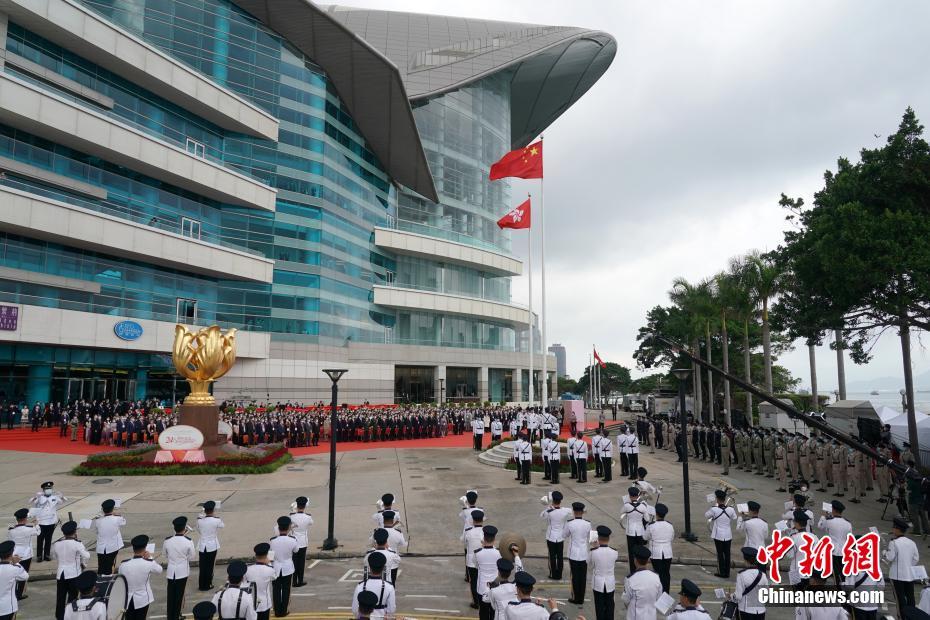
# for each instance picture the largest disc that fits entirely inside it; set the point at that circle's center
(553, 66)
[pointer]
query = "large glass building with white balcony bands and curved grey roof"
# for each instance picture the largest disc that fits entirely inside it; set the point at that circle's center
(220, 162)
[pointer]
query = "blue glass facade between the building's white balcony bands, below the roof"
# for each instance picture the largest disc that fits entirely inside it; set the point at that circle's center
(332, 190)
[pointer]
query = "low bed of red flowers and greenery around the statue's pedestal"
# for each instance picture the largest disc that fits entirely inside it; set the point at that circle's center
(138, 461)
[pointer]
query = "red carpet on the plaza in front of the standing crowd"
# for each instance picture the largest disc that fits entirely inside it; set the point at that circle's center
(47, 441)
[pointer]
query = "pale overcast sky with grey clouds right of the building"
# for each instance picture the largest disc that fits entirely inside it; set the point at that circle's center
(674, 161)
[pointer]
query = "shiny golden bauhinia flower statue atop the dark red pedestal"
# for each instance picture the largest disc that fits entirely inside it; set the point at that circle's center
(202, 357)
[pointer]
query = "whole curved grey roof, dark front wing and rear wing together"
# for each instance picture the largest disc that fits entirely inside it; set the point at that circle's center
(379, 61)
